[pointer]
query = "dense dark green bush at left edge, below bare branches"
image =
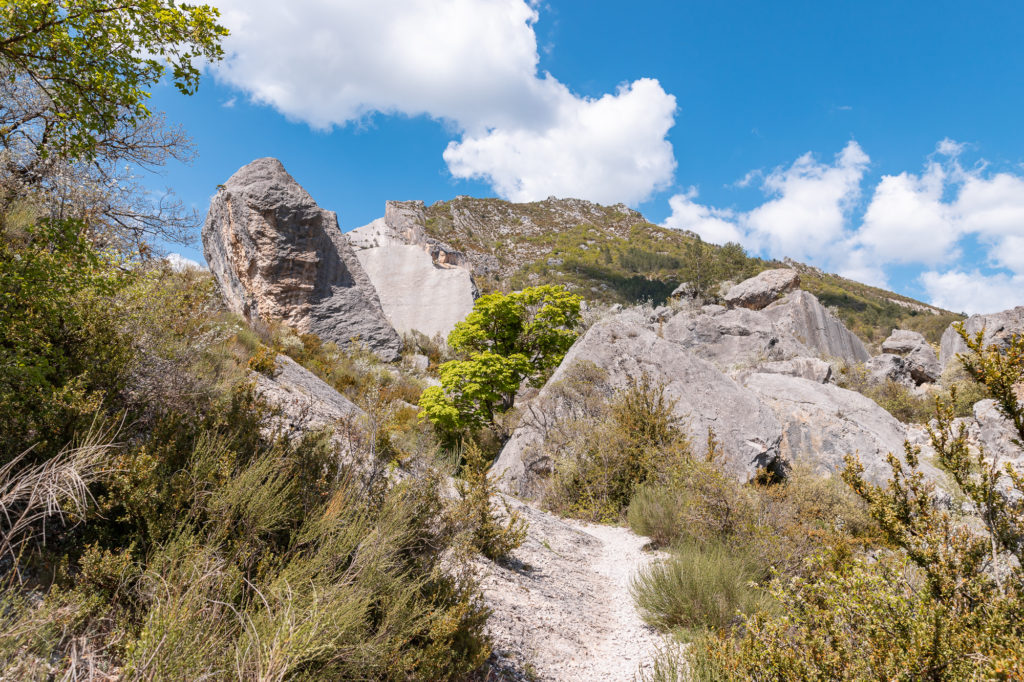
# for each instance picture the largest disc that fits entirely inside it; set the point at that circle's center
(64, 356)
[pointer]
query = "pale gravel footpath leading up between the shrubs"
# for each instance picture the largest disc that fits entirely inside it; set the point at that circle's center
(563, 609)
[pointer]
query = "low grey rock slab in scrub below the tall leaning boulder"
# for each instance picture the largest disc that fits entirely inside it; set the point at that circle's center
(304, 403)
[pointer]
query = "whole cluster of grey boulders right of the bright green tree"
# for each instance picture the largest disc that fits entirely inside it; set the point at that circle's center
(742, 373)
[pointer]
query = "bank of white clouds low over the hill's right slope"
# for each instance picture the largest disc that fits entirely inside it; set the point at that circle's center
(963, 228)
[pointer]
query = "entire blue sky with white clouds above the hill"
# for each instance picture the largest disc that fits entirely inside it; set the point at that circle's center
(878, 140)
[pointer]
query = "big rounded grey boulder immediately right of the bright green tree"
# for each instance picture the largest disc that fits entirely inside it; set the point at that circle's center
(626, 347)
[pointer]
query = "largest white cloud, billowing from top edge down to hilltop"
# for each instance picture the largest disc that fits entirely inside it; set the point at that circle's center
(472, 64)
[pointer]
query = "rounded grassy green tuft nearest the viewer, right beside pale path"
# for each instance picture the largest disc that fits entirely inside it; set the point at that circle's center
(698, 587)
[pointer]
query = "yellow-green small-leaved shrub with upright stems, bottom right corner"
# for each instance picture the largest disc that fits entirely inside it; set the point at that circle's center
(946, 604)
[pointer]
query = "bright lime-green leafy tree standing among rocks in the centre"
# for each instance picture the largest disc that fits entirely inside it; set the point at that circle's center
(506, 340)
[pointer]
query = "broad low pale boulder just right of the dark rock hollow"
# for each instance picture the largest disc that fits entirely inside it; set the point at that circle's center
(823, 423)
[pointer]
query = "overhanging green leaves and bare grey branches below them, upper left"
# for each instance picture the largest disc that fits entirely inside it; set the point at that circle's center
(75, 126)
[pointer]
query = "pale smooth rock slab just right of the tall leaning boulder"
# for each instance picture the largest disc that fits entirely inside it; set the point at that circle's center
(422, 285)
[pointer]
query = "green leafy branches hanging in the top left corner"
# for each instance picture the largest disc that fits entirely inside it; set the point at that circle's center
(94, 62)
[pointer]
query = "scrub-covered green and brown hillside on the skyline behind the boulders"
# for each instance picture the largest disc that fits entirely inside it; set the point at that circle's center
(613, 254)
